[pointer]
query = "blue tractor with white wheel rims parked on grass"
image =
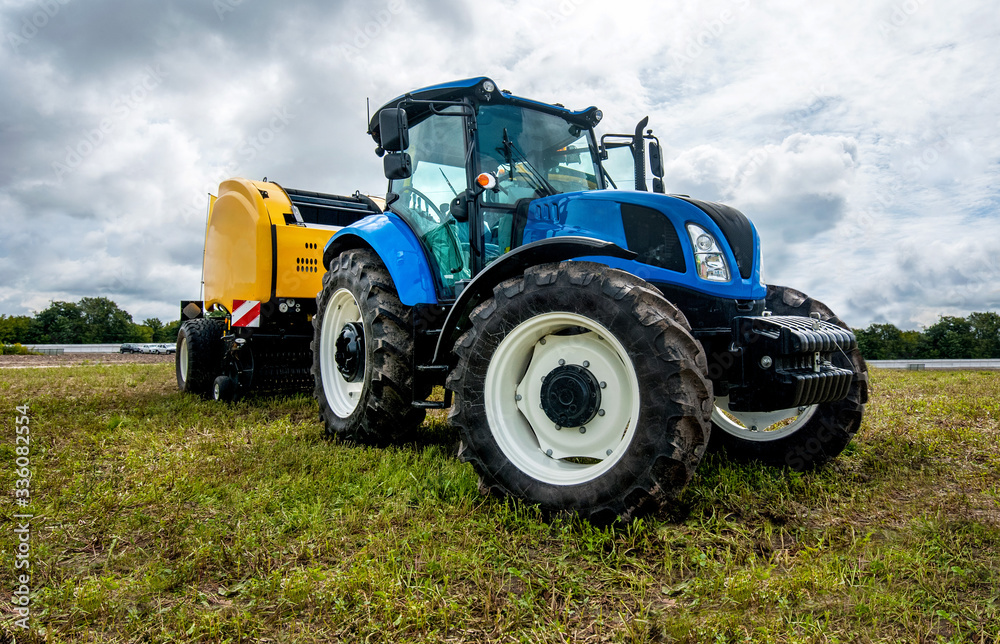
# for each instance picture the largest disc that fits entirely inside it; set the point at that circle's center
(596, 341)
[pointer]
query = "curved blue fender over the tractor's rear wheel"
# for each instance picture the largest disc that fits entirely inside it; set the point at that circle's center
(389, 236)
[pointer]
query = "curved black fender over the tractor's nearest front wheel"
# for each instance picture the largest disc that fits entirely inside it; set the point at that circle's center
(554, 249)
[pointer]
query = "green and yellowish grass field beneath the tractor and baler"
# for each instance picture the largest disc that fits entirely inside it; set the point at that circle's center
(160, 517)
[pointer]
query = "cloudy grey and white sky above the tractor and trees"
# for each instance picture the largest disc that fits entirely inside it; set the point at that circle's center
(860, 136)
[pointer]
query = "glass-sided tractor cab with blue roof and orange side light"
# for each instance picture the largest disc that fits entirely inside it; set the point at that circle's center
(466, 157)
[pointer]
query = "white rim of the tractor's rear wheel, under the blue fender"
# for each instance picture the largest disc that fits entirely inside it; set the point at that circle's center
(342, 396)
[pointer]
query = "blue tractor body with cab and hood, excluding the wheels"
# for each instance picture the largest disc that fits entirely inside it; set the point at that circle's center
(529, 176)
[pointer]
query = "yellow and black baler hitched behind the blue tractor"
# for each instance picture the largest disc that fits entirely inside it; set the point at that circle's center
(262, 269)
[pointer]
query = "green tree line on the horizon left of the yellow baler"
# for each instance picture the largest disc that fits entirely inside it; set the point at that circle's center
(92, 320)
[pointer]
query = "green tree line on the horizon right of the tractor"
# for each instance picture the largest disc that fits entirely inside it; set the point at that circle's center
(955, 338)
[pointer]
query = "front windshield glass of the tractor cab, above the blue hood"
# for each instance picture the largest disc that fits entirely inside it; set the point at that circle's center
(533, 154)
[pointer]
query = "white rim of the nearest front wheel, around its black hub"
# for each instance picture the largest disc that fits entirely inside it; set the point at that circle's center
(522, 430)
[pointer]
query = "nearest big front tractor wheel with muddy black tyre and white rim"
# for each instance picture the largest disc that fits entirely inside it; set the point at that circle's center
(578, 389)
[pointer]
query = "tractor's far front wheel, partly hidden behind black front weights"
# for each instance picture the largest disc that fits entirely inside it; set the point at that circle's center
(800, 438)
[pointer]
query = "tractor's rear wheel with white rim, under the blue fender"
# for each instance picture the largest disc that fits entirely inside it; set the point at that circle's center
(364, 386)
